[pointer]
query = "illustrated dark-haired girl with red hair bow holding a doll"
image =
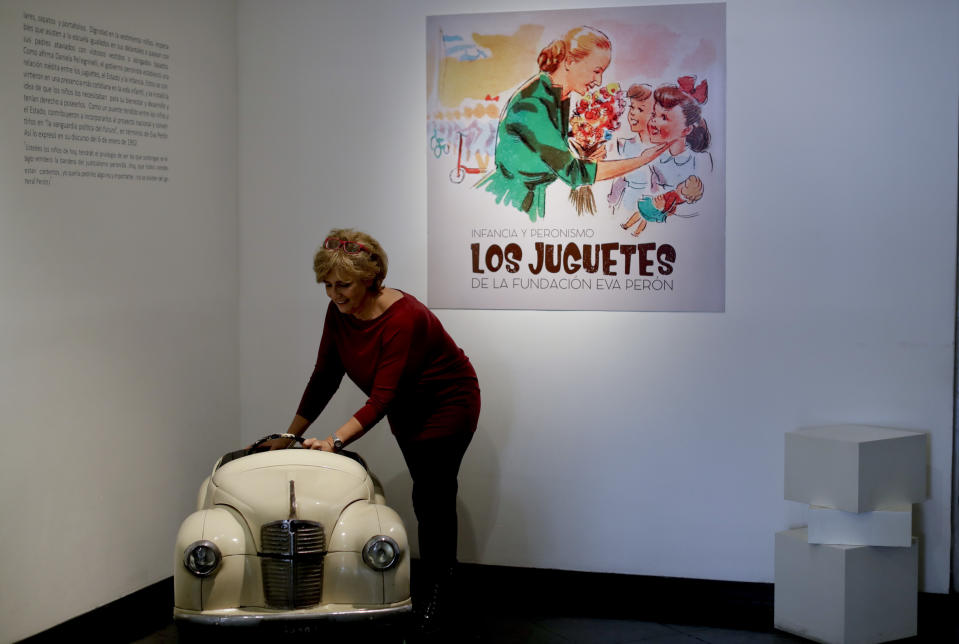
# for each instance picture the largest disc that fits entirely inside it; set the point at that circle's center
(676, 119)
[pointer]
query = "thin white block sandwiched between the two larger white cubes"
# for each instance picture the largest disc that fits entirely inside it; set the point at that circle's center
(890, 527)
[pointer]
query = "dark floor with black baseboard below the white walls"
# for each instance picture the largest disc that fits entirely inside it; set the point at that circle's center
(517, 606)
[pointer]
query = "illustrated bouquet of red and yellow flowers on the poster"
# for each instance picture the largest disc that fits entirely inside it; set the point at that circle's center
(592, 124)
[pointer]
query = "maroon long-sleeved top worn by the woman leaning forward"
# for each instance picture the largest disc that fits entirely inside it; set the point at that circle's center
(411, 369)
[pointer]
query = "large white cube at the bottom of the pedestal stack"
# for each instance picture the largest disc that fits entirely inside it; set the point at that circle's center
(842, 594)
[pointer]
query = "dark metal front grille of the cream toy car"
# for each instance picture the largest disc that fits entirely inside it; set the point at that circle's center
(292, 560)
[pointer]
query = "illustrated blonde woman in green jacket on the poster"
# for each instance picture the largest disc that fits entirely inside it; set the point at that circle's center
(531, 145)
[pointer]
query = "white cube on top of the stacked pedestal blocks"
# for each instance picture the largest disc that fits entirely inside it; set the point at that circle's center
(856, 468)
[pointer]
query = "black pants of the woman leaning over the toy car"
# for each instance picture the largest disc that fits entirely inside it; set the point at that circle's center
(434, 466)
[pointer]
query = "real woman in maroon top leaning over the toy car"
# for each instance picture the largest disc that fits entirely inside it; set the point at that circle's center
(398, 353)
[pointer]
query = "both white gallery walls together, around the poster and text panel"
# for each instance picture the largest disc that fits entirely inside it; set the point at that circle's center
(119, 346)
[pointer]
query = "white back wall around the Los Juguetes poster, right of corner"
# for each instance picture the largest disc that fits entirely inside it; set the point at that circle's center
(664, 455)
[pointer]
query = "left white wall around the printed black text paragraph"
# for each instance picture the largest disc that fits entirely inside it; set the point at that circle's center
(118, 334)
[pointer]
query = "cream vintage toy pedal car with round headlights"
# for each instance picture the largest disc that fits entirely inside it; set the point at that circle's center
(291, 534)
